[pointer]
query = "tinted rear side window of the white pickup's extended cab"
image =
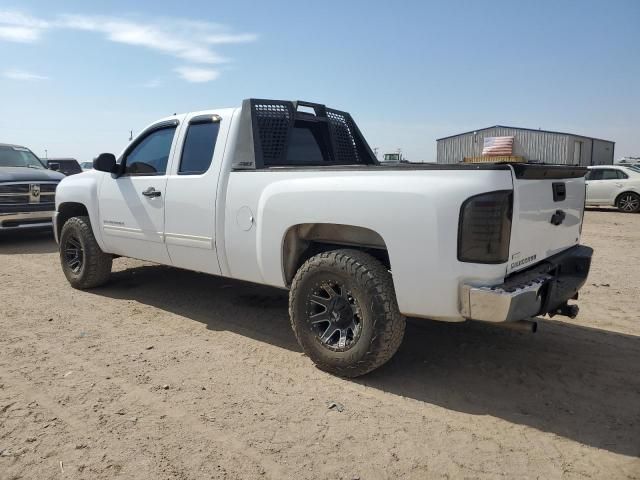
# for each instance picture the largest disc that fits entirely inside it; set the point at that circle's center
(198, 148)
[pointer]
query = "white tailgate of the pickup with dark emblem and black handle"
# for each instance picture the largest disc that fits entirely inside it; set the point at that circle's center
(548, 206)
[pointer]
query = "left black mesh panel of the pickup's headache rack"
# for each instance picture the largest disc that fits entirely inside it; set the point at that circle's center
(273, 120)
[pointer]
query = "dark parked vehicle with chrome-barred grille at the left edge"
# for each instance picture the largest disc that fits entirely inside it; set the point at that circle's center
(27, 189)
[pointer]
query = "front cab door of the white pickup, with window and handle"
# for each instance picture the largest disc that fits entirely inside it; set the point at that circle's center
(132, 205)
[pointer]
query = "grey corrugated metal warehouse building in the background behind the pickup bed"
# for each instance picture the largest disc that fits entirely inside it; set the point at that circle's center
(533, 145)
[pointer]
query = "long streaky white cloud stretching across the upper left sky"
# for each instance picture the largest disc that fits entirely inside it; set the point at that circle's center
(190, 41)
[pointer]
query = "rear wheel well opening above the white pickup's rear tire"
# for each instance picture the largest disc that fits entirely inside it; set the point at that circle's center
(305, 240)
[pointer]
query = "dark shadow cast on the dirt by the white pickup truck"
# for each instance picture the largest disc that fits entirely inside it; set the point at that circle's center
(580, 383)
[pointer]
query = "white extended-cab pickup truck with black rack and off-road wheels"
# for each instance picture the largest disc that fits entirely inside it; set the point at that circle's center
(289, 194)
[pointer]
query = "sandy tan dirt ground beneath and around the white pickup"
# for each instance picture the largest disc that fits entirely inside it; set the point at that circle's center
(170, 374)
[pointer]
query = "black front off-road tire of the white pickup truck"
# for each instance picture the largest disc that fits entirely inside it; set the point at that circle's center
(96, 265)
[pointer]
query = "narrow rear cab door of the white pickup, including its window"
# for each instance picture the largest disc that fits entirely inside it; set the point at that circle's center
(190, 213)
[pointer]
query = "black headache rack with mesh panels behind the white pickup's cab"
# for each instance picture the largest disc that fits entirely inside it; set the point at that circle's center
(281, 133)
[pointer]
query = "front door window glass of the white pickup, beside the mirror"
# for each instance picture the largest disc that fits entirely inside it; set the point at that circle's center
(150, 156)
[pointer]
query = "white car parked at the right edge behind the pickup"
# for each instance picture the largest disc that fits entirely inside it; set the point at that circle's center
(613, 185)
